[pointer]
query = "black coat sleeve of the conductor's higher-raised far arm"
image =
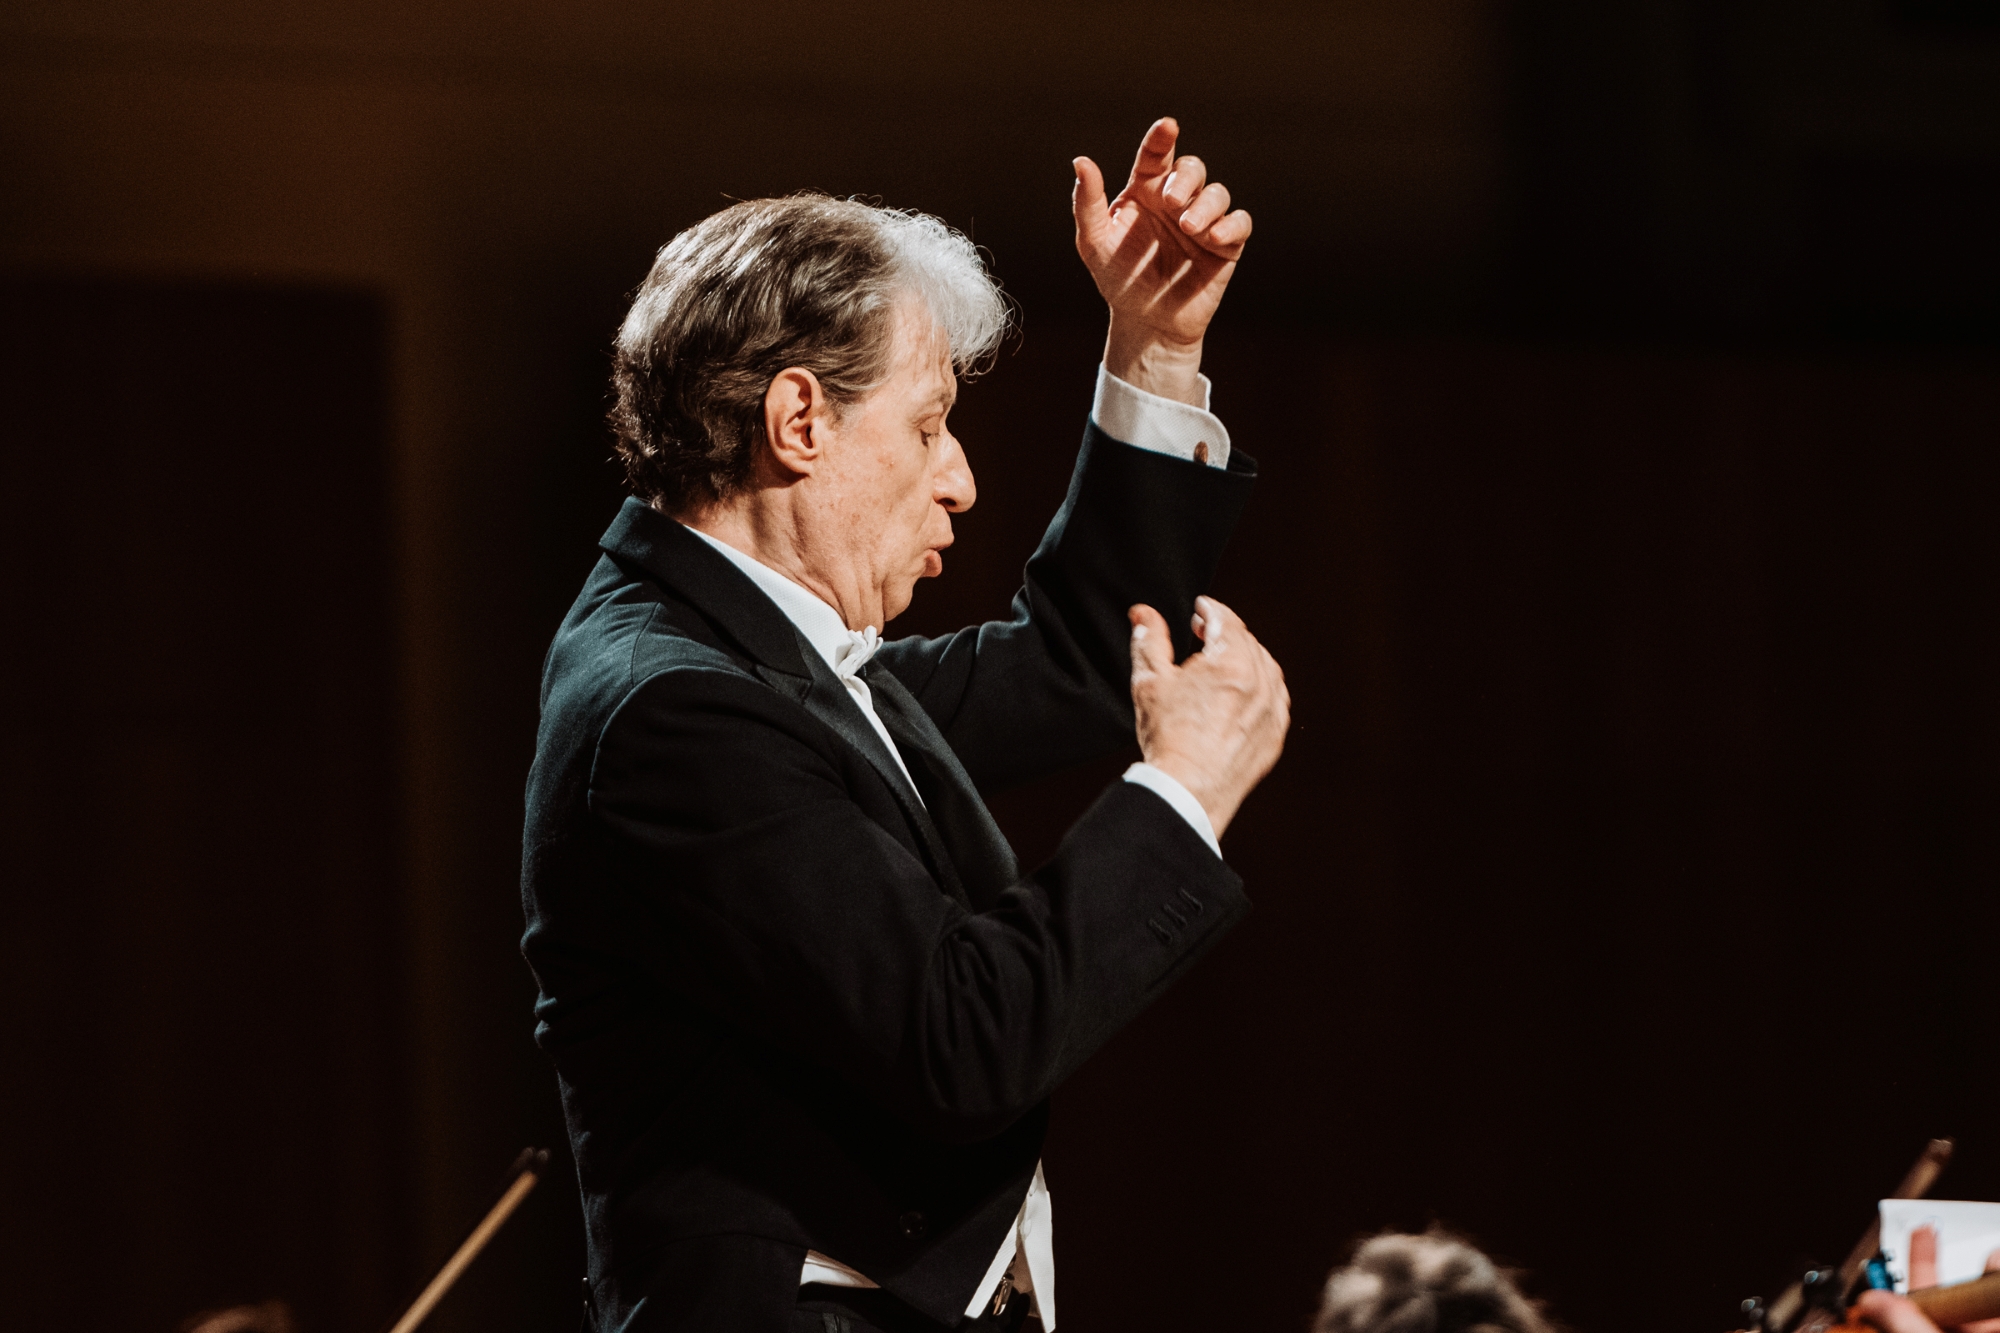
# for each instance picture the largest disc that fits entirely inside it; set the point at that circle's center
(1051, 686)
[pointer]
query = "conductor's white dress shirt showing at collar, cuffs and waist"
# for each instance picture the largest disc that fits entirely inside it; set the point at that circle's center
(1027, 1258)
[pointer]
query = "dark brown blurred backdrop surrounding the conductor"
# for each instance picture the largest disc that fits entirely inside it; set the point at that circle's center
(1627, 391)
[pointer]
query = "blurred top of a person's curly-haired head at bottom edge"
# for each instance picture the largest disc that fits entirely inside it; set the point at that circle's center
(1425, 1284)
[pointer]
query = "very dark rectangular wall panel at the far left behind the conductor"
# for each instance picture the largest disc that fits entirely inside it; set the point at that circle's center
(207, 1090)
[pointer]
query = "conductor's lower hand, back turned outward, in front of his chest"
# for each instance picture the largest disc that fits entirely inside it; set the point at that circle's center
(1217, 722)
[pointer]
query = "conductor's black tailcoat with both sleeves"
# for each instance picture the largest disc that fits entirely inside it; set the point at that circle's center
(791, 1006)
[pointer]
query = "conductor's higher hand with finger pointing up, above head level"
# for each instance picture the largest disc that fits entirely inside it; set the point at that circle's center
(1161, 255)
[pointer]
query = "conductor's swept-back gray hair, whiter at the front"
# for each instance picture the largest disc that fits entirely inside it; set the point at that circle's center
(765, 285)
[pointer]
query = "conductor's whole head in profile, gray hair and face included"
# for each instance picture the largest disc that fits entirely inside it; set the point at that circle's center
(795, 359)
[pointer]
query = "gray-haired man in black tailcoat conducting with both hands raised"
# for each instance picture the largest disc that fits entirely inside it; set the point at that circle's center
(805, 1006)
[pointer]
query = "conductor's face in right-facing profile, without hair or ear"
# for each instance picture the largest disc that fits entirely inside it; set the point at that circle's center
(895, 471)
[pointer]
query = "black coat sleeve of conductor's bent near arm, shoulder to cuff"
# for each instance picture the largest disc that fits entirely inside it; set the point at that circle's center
(777, 904)
